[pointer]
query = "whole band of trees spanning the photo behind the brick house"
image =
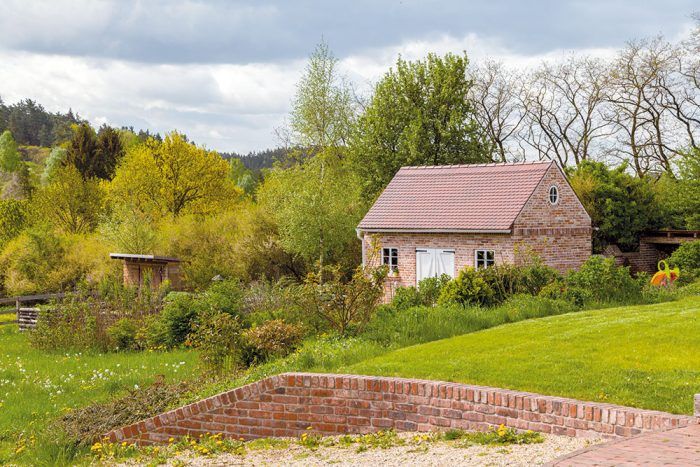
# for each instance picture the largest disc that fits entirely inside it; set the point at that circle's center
(115, 190)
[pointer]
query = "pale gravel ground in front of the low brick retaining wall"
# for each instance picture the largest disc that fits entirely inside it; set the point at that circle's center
(440, 453)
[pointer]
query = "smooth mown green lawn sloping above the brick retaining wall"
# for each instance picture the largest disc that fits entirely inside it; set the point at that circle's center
(642, 356)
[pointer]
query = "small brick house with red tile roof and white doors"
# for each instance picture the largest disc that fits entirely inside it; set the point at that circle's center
(441, 219)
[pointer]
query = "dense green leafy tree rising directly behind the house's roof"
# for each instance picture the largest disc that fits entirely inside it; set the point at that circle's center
(420, 114)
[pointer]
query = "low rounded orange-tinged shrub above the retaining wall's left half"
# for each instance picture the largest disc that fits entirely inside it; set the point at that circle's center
(272, 339)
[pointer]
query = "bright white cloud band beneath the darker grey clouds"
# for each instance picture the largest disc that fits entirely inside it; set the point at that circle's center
(226, 107)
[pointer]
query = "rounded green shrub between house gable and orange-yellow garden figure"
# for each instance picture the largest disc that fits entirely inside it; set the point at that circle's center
(605, 281)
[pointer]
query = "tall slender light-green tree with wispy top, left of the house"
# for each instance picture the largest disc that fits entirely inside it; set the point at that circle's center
(313, 201)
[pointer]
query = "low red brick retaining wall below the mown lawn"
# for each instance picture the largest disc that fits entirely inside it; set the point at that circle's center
(287, 404)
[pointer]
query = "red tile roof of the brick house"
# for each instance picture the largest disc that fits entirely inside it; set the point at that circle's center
(479, 197)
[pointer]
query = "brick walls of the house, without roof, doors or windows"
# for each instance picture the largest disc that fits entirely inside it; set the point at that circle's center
(560, 234)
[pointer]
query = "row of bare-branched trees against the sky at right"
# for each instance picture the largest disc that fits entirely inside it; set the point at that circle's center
(641, 107)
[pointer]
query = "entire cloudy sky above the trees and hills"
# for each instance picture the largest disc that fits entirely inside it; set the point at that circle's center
(224, 72)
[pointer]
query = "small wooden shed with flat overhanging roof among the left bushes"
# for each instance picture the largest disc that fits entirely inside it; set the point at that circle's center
(159, 268)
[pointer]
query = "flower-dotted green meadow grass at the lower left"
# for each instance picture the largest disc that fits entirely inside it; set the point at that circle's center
(37, 386)
